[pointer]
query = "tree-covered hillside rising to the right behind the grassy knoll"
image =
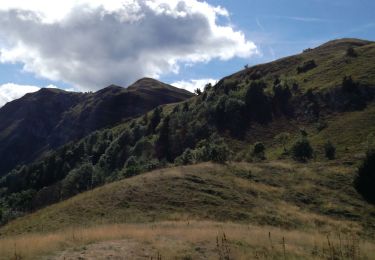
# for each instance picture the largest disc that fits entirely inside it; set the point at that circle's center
(255, 115)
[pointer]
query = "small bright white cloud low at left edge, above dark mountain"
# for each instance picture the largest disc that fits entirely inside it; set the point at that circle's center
(11, 91)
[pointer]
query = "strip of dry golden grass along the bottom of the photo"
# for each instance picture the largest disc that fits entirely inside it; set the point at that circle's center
(186, 240)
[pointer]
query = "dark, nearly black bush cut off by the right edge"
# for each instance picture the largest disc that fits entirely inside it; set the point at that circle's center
(365, 180)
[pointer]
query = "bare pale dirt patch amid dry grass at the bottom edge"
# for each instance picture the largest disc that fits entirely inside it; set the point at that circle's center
(120, 249)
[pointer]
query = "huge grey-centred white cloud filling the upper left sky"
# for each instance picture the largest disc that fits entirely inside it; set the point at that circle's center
(94, 43)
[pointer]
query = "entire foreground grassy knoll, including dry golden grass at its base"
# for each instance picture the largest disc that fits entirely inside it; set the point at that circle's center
(291, 201)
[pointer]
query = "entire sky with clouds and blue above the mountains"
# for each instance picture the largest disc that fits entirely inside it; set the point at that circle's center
(86, 45)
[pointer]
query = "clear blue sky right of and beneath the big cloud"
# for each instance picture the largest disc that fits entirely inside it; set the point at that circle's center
(286, 27)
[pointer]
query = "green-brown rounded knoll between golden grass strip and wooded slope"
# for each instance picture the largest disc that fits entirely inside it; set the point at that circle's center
(286, 194)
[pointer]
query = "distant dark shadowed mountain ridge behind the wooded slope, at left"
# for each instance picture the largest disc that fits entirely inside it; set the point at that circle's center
(49, 118)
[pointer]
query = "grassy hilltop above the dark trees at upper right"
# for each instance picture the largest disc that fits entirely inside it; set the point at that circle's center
(332, 63)
